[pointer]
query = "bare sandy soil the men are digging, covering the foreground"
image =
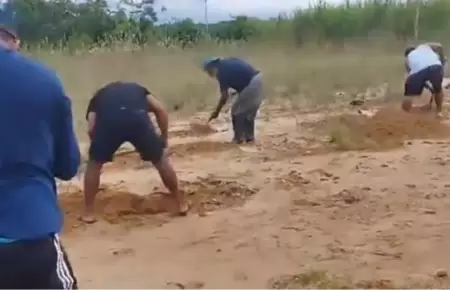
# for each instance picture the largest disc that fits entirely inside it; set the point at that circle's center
(300, 202)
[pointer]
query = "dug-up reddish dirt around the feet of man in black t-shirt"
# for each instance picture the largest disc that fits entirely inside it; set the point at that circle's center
(119, 206)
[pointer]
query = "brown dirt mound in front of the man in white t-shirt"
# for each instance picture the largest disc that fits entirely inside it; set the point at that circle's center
(386, 129)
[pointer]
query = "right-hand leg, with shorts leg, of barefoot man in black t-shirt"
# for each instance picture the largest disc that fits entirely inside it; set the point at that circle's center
(151, 148)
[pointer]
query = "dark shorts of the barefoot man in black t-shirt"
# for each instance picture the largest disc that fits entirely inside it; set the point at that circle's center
(135, 128)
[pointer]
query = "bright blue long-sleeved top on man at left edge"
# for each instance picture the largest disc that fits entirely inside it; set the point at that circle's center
(38, 144)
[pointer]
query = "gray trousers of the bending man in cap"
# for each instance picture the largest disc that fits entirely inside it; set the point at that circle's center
(244, 110)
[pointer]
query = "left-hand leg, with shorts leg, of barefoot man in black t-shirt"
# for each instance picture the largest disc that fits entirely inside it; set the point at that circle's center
(103, 146)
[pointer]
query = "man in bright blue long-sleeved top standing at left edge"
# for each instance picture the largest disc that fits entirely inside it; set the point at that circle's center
(38, 144)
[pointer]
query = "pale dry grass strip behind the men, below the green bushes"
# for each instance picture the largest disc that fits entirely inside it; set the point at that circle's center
(305, 76)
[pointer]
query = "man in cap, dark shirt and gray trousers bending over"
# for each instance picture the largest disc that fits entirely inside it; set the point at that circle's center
(240, 76)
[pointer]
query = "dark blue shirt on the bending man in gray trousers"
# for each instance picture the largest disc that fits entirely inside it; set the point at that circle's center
(234, 73)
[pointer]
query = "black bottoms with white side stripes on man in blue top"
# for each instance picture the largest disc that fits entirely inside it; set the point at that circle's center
(35, 264)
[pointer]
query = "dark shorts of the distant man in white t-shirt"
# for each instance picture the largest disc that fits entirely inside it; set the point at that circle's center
(415, 83)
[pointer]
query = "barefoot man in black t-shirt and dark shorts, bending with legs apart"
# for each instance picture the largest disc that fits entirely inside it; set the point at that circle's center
(119, 113)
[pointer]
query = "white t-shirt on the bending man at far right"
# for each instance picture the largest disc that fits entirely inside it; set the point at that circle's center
(421, 58)
